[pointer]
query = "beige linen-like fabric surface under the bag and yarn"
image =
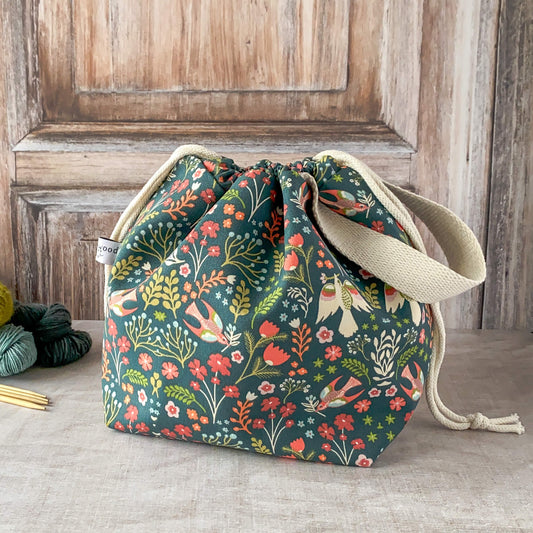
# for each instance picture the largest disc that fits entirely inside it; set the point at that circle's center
(64, 471)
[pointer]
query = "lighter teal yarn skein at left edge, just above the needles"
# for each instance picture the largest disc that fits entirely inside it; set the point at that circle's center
(17, 350)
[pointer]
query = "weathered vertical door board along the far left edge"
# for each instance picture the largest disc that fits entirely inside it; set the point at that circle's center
(20, 107)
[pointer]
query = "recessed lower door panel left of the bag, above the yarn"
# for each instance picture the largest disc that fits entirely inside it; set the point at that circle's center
(56, 241)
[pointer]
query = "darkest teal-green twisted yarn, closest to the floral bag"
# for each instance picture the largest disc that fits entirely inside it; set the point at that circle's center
(57, 343)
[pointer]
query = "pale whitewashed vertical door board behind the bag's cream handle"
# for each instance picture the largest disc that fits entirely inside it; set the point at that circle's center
(454, 129)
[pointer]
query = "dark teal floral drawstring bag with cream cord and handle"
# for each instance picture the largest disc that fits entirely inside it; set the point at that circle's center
(288, 310)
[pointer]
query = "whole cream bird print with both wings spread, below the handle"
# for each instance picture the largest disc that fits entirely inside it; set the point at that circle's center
(344, 296)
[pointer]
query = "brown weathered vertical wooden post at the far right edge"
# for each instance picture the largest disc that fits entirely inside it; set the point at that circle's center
(508, 296)
